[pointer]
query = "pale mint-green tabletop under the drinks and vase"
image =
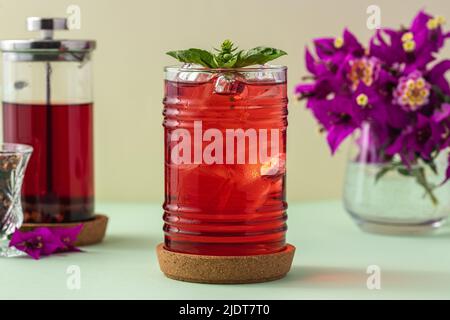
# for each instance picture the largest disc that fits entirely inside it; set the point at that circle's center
(331, 262)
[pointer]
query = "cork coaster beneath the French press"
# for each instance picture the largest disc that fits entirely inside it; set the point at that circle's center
(93, 230)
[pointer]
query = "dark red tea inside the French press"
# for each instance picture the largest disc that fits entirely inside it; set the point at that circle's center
(58, 186)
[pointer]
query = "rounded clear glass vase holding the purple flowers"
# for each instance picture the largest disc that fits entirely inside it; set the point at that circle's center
(385, 196)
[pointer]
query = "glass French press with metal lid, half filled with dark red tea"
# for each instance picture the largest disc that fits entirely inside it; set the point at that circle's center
(47, 103)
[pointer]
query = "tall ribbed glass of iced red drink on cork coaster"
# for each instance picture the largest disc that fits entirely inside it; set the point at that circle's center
(225, 160)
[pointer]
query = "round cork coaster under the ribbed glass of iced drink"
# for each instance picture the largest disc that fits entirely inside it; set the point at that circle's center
(225, 269)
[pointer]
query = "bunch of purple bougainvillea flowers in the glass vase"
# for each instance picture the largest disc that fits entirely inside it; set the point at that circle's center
(396, 84)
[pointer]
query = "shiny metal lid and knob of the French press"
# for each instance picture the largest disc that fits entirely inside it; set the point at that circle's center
(47, 44)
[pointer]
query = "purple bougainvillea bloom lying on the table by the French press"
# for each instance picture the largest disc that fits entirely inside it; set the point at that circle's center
(36, 243)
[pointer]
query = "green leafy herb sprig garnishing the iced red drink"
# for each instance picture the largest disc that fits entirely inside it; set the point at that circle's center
(227, 56)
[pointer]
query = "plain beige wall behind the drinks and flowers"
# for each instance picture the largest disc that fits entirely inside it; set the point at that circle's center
(132, 37)
